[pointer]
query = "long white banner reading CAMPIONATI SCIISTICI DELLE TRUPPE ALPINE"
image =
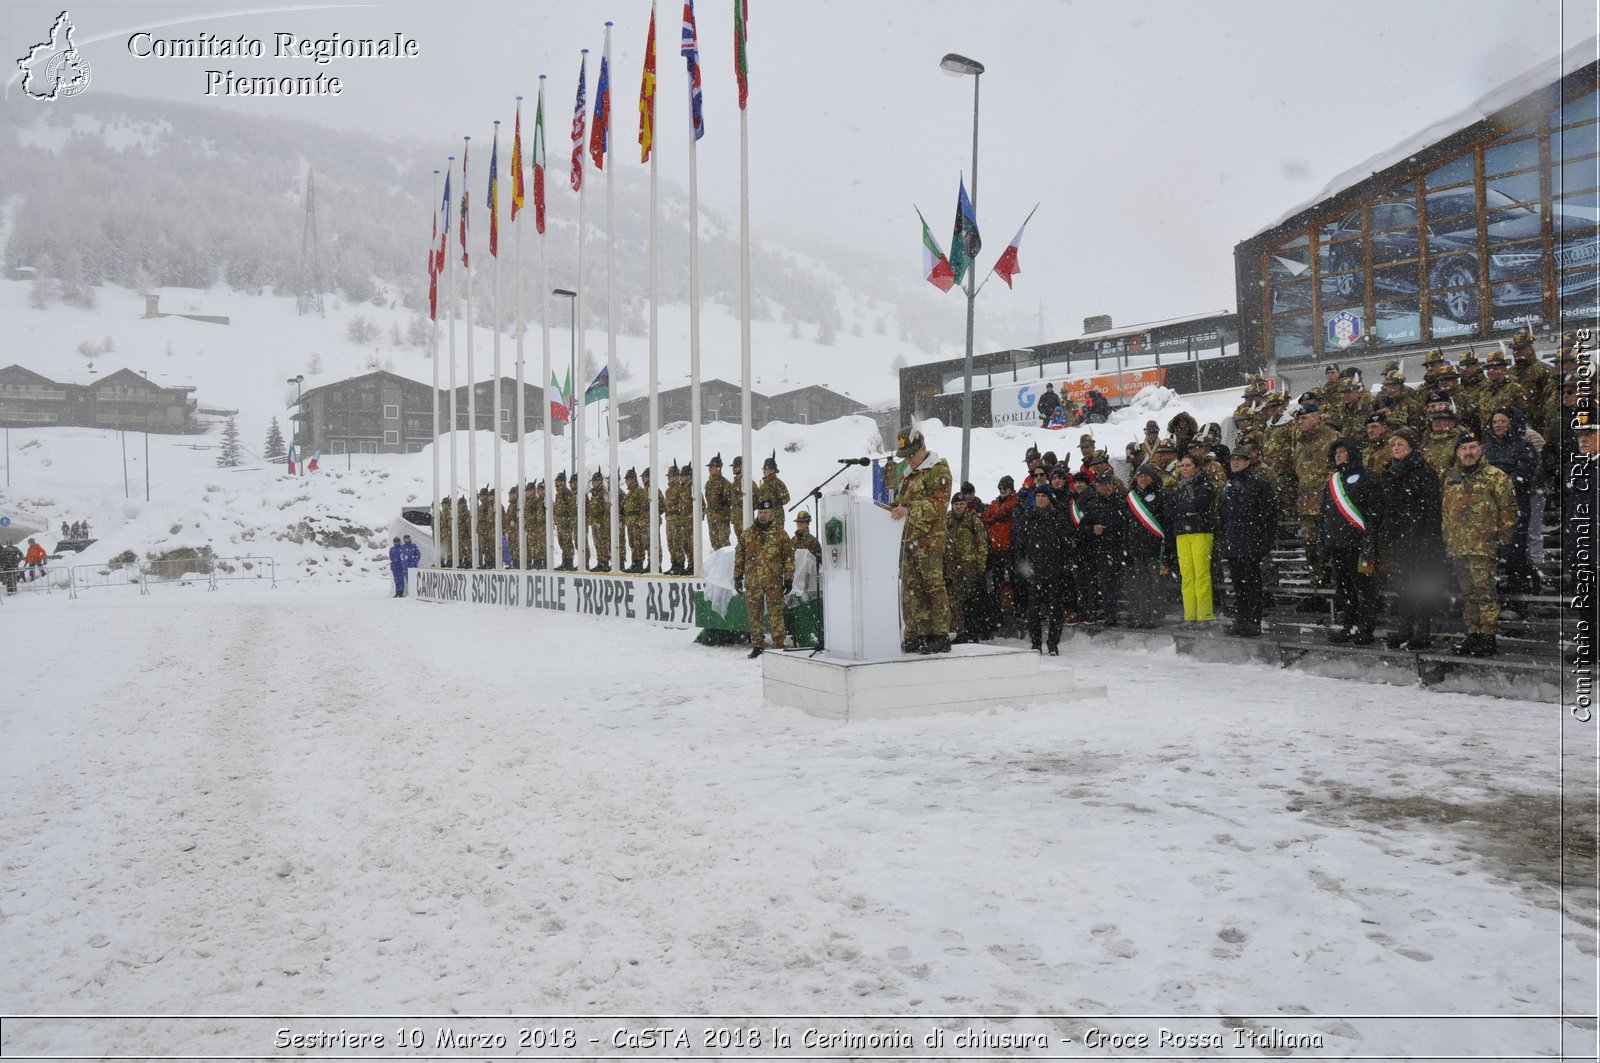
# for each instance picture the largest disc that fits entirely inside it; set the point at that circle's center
(666, 603)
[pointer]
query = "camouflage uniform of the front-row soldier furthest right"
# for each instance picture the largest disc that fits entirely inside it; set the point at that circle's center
(1479, 519)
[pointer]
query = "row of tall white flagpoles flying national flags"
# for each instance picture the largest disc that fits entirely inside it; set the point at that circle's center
(570, 409)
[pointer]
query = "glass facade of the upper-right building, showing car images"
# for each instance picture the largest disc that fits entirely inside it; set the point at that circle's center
(1473, 238)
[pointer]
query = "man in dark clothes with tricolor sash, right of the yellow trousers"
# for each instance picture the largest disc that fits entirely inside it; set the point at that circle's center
(1346, 523)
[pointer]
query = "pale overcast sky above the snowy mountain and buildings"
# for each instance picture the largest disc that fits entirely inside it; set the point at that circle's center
(1153, 135)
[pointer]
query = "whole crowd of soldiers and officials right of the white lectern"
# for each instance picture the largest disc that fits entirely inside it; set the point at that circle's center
(1402, 491)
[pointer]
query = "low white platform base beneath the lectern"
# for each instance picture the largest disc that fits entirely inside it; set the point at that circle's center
(966, 680)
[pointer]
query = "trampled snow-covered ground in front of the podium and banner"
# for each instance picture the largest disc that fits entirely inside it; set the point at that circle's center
(321, 801)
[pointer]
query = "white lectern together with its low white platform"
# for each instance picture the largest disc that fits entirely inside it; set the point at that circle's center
(862, 673)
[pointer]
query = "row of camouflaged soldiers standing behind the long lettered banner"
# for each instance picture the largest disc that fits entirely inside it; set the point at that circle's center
(526, 539)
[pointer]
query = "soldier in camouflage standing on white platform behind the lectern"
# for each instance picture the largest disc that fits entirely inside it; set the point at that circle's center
(921, 505)
